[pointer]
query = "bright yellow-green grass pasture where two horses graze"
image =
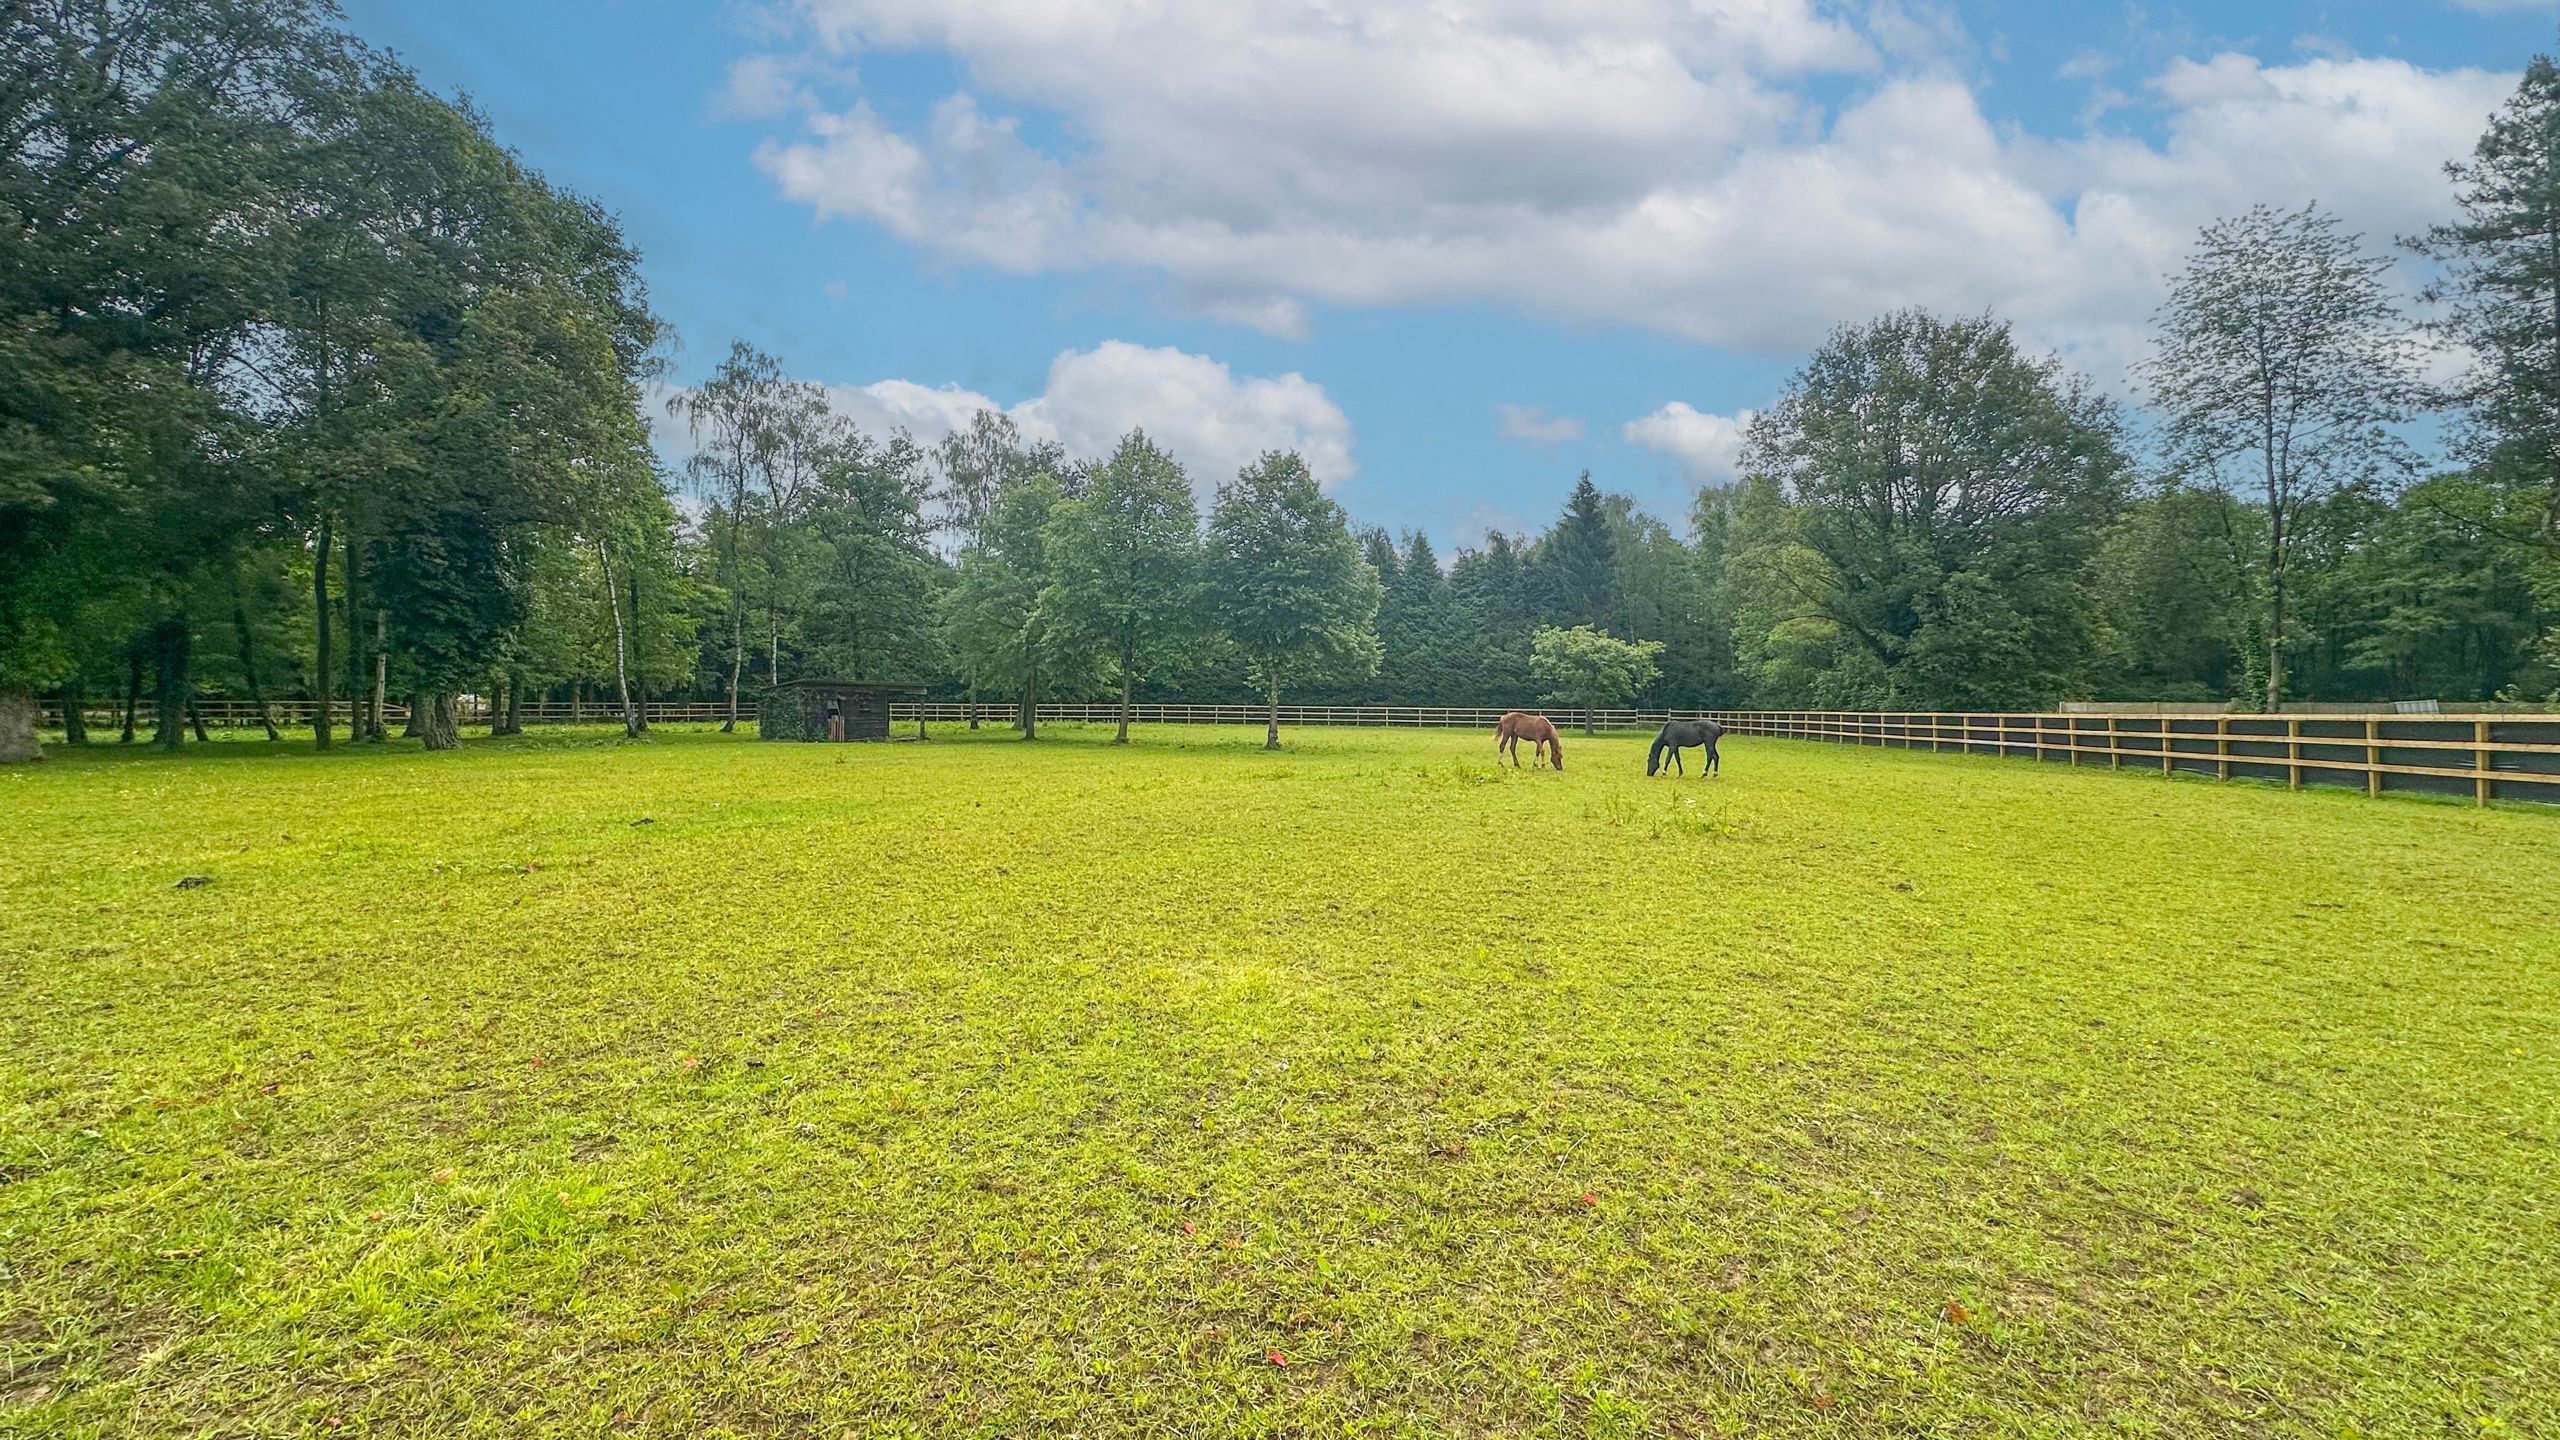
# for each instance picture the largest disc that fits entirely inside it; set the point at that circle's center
(703, 1088)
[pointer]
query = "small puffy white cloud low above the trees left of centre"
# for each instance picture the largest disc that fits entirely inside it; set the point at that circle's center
(1197, 409)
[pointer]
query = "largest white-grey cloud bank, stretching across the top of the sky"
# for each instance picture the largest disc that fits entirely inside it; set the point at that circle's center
(1655, 163)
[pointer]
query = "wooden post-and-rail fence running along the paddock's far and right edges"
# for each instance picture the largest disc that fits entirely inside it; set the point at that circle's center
(2472, 755)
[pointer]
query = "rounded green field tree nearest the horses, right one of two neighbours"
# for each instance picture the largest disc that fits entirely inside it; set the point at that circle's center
(1286, 583)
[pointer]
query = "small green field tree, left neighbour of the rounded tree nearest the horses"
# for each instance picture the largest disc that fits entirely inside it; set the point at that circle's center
(1125, 562)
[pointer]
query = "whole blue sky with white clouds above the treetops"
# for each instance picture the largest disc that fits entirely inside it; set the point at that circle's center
(1455, 252)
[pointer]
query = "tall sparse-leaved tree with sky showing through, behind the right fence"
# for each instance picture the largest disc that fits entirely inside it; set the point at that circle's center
(2282, 365)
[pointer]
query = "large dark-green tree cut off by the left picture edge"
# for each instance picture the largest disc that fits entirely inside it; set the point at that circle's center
(129, 124)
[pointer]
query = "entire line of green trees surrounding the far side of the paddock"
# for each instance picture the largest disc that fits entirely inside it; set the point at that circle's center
(308, 388)
